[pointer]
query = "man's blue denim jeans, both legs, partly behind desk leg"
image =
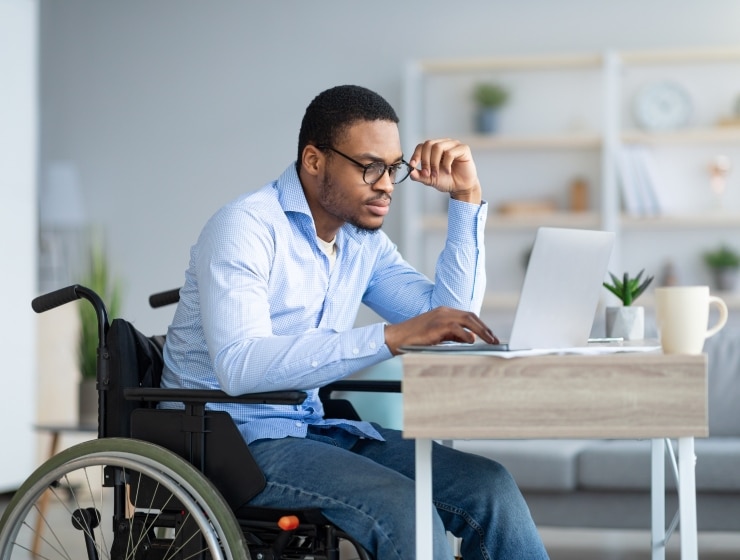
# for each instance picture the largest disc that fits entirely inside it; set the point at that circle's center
(366, 488)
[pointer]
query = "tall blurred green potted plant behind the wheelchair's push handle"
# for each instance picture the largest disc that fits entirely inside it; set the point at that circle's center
(99, 279)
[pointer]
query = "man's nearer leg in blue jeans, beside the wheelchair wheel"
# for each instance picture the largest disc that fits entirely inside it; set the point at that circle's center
(366, 499)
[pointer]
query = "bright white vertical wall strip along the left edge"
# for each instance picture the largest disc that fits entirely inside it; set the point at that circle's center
(18, 150)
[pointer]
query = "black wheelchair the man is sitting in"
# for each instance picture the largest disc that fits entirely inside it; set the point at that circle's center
(162, 484)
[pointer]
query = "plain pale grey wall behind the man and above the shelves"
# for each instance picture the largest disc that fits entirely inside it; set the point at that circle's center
(172, 107)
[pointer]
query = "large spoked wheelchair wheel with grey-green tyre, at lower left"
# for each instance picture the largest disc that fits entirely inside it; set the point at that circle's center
(117, 498)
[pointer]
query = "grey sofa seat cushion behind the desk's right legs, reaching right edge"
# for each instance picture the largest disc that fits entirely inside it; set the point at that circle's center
(625, 465)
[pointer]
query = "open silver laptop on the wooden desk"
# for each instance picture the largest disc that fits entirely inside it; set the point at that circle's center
(559, 296)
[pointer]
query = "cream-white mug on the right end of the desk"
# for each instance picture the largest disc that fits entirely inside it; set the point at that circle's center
(682, 316)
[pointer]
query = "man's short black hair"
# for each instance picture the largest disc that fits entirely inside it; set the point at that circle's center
(333, 111)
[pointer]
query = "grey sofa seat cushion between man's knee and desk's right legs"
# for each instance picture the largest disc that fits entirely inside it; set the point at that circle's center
(535, 464)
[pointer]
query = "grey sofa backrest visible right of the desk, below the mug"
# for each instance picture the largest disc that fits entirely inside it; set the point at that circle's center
(723, 357)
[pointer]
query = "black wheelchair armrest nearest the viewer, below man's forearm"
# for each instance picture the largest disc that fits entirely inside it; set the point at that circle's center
(145, 394)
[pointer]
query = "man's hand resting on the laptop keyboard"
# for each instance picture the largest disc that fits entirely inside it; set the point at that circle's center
(439, 325)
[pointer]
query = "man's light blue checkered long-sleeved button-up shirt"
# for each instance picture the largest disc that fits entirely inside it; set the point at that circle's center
(261, 311)
